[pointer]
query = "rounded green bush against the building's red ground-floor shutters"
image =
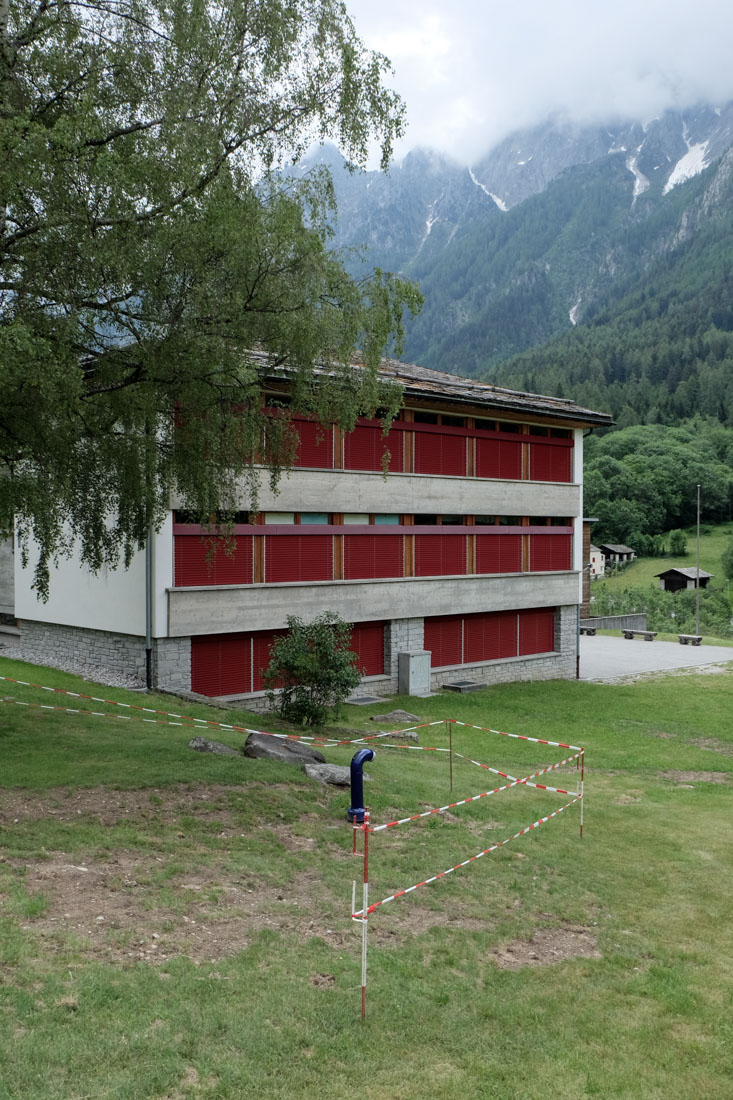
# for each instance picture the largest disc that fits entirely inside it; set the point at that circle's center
(313, 669)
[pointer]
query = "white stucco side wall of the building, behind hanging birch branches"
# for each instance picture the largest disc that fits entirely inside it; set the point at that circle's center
(114, 600)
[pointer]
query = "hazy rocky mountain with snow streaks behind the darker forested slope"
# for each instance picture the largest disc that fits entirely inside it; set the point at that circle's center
(550, 229)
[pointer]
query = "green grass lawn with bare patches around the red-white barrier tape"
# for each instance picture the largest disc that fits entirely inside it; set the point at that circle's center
(177, 925)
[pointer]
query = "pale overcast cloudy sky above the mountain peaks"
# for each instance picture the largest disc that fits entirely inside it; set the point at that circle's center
(473, 71)
